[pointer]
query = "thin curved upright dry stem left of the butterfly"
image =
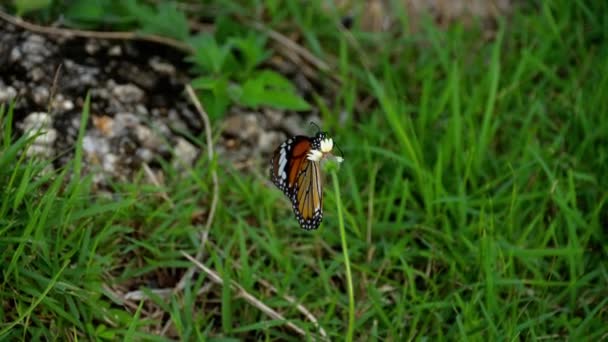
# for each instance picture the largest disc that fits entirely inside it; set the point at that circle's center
(205, 233)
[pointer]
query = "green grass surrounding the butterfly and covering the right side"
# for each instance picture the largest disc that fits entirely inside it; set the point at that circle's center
(473, 194)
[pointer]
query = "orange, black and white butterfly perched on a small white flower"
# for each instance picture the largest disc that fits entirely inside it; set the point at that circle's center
(296, 170)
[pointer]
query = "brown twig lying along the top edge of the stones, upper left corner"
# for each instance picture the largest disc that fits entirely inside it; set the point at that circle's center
(64, 32)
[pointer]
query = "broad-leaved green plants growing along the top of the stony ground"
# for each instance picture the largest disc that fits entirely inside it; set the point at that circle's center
(227, 62)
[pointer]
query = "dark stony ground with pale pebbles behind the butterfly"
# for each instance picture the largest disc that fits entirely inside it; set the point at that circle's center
(139, 111)
